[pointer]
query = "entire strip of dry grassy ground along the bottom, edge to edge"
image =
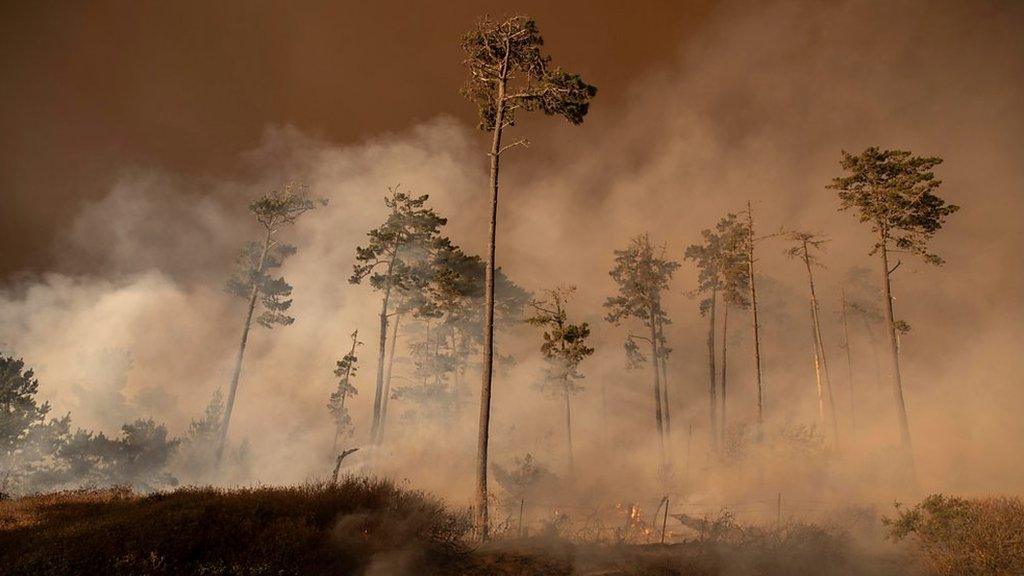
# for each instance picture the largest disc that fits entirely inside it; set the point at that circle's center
(370, 527)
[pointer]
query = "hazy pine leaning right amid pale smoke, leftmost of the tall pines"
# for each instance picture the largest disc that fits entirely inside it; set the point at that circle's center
(252, 282)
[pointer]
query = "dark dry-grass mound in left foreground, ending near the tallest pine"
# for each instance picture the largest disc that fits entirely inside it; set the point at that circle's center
(309, 530)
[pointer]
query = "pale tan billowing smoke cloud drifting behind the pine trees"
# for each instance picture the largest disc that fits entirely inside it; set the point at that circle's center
(756, 108)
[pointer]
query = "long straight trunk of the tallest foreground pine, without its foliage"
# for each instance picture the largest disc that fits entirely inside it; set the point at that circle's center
(482, 522)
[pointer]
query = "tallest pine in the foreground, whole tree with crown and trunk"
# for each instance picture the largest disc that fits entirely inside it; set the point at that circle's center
(509, 74)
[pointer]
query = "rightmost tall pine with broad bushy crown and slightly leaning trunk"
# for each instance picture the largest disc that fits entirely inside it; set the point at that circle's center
(894, 193)
